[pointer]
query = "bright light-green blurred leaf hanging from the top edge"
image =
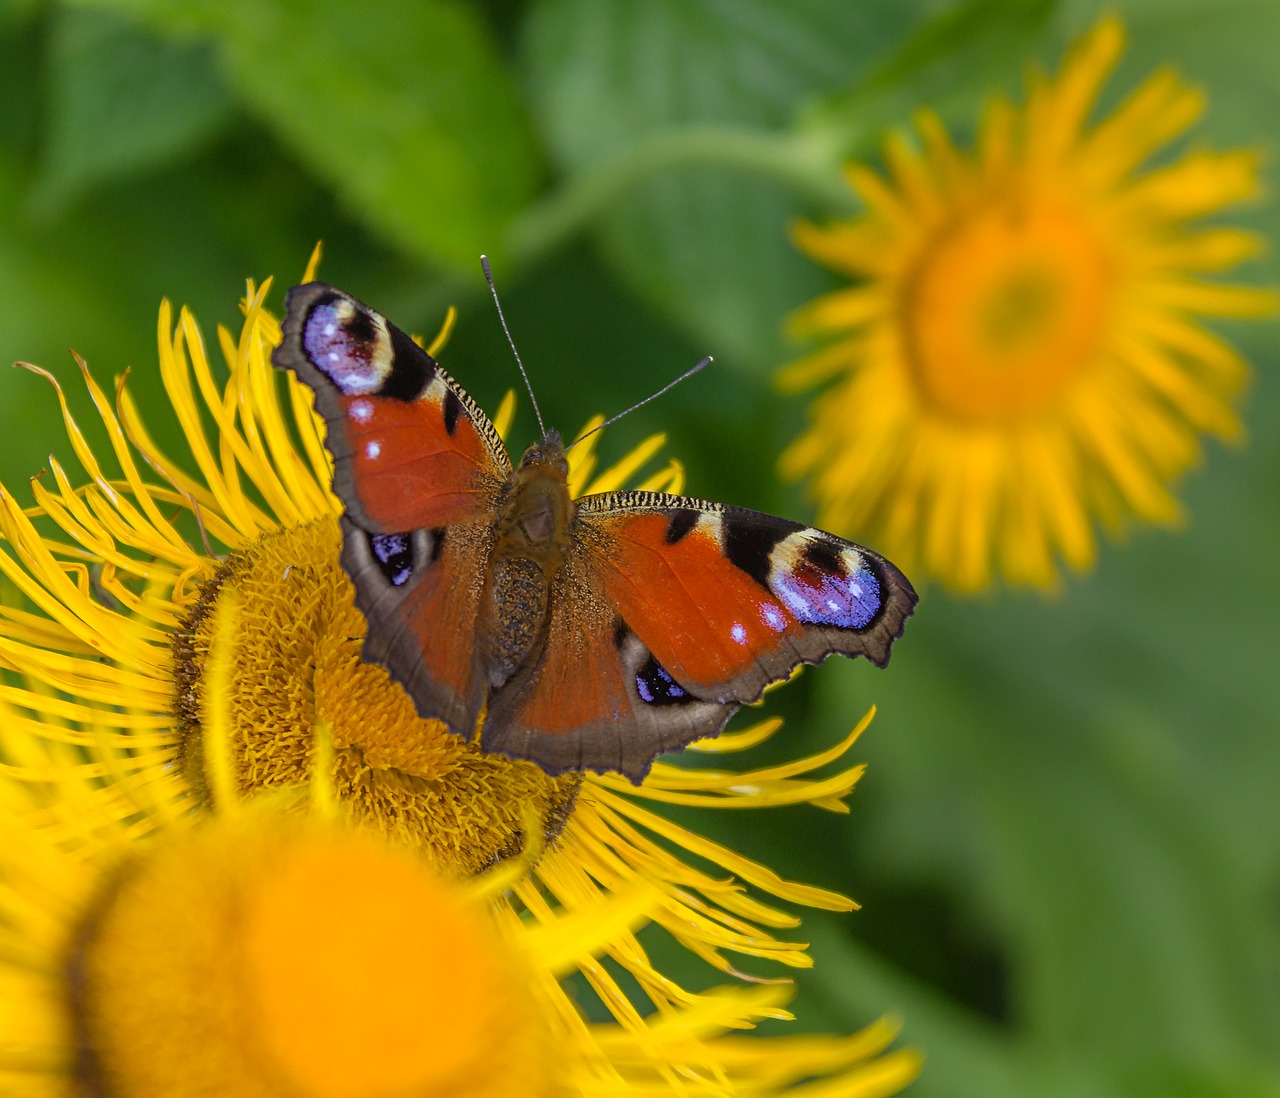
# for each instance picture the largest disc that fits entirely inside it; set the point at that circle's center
(406, 109)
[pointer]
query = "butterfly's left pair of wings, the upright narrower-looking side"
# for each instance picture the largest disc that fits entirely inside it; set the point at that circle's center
(418, 468)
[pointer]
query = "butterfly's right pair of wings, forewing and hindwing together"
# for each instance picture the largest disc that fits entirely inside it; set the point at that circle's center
(676, 612)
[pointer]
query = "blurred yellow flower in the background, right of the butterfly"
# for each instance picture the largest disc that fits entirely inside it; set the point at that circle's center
(1022, 355)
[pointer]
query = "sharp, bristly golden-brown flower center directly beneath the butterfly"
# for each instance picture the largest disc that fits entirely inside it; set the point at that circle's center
(298, 667)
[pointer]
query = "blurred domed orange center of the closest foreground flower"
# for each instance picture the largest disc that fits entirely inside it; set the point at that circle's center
(277, 959)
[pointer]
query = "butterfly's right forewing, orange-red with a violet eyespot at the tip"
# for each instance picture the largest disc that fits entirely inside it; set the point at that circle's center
(730, 600)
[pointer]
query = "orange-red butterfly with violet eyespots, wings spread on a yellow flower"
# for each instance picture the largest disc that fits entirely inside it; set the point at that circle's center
(588, 634)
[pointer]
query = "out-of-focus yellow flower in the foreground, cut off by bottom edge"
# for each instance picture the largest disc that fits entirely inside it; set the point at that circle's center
(262, 953)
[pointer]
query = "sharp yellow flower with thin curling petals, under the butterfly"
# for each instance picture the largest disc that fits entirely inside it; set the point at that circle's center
(127, 579)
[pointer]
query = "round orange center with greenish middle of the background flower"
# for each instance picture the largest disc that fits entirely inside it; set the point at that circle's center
(1008, 305)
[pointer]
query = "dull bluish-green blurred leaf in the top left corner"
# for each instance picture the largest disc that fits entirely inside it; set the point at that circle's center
(121, 102)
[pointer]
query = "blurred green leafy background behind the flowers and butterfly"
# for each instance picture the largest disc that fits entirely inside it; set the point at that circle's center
(1068, 845)
